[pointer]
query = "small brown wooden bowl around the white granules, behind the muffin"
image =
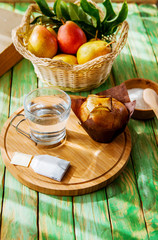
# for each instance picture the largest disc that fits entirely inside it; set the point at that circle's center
(142, 114)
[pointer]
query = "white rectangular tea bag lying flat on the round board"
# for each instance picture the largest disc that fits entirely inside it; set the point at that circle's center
(50, 166)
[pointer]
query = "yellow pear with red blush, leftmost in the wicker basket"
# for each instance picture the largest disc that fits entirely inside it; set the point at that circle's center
(42, 43)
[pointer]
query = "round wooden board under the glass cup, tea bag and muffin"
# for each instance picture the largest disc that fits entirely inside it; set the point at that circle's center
(92, 165)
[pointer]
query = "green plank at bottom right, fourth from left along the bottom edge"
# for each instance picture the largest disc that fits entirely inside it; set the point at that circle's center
(126, 215)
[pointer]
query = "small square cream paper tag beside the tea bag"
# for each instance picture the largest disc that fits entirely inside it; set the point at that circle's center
(21, 159)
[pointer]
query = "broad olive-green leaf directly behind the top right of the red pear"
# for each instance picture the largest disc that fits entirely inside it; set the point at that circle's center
(76, 13)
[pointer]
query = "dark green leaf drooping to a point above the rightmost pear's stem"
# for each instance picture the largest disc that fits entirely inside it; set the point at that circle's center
(91, 10)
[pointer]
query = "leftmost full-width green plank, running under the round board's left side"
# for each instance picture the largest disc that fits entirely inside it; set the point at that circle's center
(20, 203)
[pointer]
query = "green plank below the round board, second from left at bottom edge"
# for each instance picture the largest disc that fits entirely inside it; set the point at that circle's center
(55, 217)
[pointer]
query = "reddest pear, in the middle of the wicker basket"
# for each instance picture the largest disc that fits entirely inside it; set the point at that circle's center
(70, 37)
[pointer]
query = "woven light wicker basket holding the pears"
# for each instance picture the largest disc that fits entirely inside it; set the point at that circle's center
(68, 77)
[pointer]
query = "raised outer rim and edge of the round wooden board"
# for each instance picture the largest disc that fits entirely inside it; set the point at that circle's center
(83, 188)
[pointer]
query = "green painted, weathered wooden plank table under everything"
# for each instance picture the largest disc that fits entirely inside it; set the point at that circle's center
(125, 209)
